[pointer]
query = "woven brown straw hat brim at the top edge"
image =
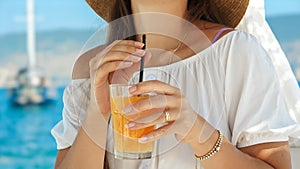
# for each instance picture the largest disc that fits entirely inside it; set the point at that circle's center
(231, 11)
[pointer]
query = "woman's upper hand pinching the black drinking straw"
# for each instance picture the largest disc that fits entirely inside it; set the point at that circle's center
(116, 63)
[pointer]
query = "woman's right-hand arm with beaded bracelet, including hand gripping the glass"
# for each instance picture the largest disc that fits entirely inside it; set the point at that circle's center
(201, 136)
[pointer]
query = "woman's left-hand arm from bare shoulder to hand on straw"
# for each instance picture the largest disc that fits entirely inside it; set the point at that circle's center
(88, 149)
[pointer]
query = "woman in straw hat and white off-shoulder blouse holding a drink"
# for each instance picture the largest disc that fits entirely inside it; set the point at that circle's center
(237, 93)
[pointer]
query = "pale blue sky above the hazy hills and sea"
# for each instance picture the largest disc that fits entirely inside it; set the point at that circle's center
(76, 14)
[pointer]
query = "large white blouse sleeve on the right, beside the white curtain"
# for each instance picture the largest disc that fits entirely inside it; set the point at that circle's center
(256, 109)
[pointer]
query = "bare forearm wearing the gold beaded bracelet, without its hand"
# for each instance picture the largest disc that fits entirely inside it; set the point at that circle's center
(274, 155)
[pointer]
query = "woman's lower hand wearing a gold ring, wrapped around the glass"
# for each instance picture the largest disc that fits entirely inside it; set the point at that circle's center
(180, 121)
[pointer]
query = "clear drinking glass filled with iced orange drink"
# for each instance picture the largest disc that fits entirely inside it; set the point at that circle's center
(126, 144)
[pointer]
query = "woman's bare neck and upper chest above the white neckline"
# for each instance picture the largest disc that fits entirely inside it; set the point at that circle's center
(166, 28)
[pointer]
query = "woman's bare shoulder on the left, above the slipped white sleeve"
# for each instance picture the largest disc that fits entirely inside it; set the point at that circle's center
(81, 69)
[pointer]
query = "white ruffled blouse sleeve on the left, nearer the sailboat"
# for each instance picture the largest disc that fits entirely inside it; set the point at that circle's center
(75, 98)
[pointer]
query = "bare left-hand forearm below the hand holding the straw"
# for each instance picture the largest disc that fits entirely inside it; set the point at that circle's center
(88, 150)
